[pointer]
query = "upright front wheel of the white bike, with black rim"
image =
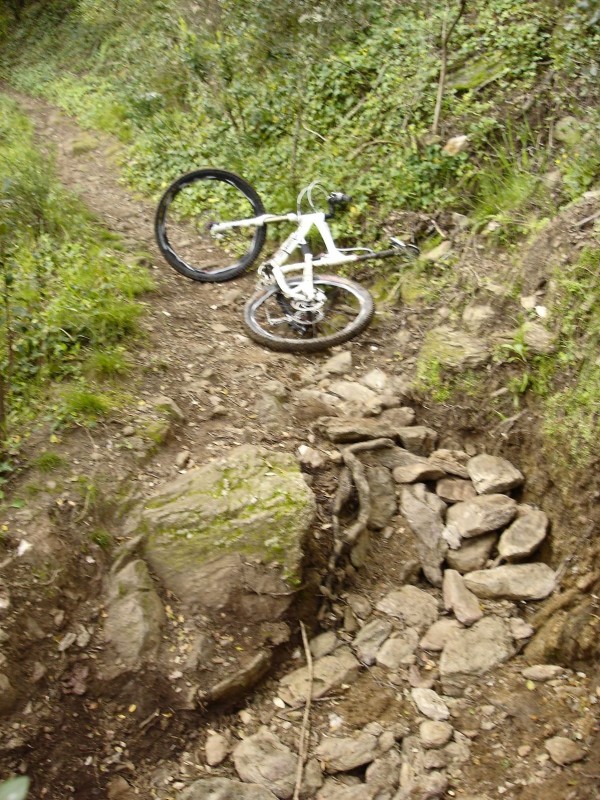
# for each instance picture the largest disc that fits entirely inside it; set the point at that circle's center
(186, 216)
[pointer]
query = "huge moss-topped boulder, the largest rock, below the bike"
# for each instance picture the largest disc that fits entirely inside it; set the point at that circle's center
(229, 535)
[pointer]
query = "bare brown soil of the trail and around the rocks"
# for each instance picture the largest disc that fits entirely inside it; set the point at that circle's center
(75, 739)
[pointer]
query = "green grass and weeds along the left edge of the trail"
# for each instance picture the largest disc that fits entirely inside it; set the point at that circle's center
(67, 297)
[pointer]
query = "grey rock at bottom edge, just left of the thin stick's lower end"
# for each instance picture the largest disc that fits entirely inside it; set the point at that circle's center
(264, 759)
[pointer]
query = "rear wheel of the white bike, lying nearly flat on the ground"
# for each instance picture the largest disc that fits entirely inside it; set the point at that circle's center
(271, 320)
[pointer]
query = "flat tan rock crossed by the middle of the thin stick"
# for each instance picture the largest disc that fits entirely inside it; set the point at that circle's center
(328, 673)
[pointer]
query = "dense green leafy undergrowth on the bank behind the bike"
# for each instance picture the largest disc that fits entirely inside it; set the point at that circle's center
(284, 91)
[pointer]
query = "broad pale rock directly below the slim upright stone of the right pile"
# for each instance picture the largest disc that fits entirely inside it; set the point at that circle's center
(473, 651)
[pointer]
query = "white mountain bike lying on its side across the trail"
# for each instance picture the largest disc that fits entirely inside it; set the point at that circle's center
(211, 225)
